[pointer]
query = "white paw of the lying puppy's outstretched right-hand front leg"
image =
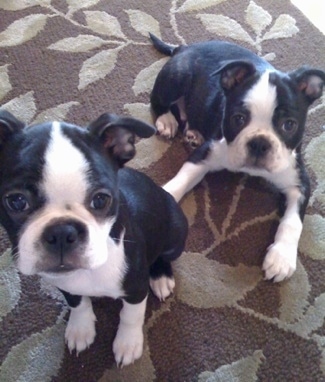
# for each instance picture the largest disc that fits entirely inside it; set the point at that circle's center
(280, 261)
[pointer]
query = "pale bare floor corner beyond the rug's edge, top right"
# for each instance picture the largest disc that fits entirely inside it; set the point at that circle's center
(314, 10)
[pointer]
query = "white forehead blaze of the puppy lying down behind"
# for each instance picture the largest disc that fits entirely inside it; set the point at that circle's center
(262, 100)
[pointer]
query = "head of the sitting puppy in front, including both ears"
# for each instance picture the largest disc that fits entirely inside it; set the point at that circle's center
(59, 189)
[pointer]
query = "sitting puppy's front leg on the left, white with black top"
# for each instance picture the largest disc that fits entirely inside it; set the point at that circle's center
(80, 332)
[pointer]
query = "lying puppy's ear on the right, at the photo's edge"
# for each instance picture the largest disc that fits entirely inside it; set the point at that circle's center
(310, 82)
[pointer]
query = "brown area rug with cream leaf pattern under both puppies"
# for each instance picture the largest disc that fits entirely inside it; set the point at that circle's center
(73, 60)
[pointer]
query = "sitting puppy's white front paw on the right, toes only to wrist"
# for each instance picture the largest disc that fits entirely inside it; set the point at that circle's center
(128, 344)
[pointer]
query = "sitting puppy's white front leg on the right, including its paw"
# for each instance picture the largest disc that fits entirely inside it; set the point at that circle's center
(128, 343)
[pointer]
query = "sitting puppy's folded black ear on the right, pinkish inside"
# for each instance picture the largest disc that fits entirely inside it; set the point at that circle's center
(117, 135)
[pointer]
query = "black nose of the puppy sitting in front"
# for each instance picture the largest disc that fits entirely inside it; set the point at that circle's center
(61, 238)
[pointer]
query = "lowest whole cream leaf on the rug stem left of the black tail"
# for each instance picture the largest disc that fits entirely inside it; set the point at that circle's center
(97, 67)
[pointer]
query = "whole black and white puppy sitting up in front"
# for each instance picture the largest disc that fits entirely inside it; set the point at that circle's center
(86, 224)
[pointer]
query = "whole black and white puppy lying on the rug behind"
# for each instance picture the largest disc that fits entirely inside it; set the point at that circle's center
(246, 116)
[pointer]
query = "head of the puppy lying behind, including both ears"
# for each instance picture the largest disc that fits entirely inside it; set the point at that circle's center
(265, 114)
